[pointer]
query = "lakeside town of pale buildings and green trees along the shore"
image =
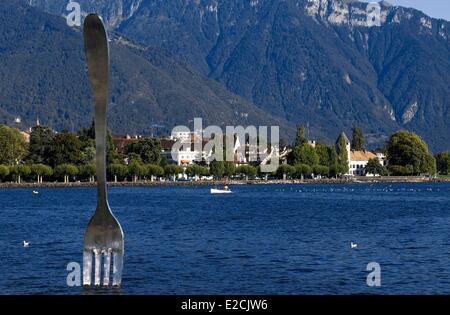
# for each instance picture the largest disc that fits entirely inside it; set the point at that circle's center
(42, 156)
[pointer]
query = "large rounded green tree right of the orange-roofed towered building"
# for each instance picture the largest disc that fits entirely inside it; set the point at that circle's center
(410, 152)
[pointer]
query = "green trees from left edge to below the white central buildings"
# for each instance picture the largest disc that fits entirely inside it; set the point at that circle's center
(67, 156)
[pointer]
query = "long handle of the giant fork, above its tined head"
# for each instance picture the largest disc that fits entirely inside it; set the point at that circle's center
(97, 55)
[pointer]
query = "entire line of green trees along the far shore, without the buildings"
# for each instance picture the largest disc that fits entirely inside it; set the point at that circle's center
(70, 156)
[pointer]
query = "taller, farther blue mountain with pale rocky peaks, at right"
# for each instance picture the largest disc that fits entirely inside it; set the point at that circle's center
(320, 62)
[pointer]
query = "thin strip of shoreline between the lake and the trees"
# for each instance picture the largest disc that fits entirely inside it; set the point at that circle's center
(355, 180)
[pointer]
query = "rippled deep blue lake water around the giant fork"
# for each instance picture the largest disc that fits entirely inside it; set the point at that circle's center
(262, 239)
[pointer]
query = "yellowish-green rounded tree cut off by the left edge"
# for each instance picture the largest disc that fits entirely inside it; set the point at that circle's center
(13, 147)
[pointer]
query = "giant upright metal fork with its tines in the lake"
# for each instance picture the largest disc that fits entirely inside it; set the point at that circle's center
(104, 235)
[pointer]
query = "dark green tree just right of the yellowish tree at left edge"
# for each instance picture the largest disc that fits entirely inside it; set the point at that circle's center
(41, 139)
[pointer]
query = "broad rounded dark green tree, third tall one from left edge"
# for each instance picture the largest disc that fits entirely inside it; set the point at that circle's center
(65, 149)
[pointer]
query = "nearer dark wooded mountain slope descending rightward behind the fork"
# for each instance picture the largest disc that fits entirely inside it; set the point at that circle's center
(43, 74)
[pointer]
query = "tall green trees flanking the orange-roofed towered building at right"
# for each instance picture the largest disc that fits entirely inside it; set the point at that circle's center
(406, 154)
